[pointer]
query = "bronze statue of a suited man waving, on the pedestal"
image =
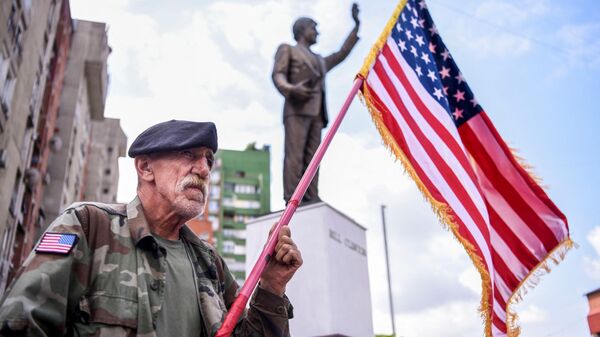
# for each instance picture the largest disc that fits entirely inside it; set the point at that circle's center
(299, 75)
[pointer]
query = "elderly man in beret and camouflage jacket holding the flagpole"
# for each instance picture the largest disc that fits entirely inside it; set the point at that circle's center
(137, 269)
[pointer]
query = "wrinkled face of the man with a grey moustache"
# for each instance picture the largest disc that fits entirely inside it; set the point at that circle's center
(182, 178)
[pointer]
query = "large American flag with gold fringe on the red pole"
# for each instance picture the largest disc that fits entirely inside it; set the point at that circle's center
(428, 116)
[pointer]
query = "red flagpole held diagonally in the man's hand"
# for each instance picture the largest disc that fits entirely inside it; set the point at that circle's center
(237, 308)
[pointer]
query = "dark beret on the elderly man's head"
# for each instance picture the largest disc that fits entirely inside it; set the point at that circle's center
(175, 135)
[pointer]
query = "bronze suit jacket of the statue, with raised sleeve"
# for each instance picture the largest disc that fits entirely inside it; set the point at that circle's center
(294, 64)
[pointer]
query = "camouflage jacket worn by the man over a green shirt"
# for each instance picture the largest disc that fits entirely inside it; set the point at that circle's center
(112, 283)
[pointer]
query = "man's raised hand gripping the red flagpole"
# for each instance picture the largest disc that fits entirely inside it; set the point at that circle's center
(284, 262)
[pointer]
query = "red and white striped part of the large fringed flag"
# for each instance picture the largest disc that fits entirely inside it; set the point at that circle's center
(507, 218)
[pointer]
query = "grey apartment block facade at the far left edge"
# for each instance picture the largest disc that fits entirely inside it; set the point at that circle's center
(27, 33)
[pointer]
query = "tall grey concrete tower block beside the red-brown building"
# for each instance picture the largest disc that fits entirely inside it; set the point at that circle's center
(82, 101)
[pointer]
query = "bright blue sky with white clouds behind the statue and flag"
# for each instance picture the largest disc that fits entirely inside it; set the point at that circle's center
(534, 66)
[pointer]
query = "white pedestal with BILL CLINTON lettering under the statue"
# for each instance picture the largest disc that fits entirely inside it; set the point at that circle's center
(330, 293)
